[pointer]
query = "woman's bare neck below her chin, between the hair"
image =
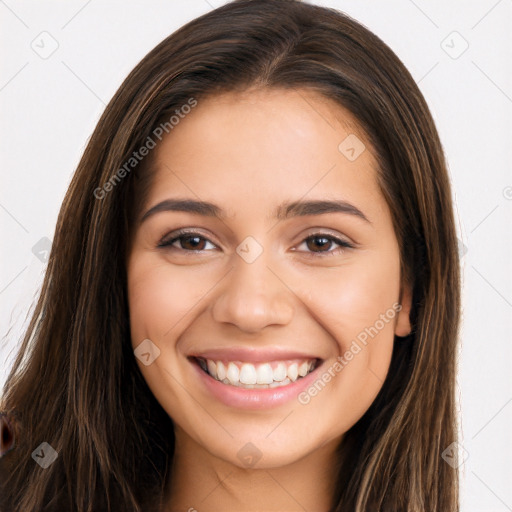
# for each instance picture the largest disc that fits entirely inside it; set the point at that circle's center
(200, 481)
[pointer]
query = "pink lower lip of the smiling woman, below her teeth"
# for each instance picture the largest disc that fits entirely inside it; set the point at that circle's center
(243, 398)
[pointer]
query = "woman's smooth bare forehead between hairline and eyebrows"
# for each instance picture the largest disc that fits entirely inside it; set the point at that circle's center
(241, 148)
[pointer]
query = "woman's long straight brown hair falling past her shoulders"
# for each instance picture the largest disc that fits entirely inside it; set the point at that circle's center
(75, 383)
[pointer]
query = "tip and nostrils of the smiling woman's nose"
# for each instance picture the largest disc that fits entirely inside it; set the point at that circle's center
(253, 296)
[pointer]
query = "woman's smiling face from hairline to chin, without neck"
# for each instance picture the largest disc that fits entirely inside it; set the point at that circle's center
(285, 285)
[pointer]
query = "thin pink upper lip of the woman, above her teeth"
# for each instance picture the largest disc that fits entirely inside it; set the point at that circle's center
(259, 355)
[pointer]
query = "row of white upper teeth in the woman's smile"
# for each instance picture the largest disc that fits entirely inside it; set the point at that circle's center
(270, 374)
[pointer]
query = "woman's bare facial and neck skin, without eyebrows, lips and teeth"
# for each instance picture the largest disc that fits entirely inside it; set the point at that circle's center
(247, 153)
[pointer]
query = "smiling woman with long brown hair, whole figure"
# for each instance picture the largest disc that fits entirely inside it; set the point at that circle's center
(194, 346)
